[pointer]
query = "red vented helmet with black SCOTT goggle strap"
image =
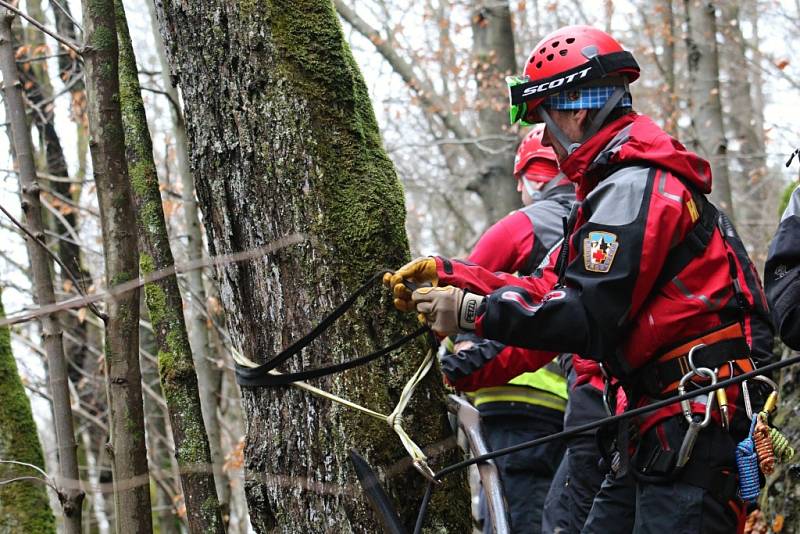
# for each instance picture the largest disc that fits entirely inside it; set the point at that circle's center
(569, 57)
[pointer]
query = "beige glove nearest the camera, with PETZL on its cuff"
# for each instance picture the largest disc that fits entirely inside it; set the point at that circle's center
(448, 309)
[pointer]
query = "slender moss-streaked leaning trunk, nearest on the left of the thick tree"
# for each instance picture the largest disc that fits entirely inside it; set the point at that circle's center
(176, 368)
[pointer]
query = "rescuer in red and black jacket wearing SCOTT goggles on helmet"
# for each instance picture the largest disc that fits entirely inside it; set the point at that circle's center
(649, 272)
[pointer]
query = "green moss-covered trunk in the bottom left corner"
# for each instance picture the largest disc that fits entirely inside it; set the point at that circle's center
(24, 506)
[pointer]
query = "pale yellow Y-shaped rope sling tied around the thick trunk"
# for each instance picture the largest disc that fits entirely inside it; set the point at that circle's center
(394, 419)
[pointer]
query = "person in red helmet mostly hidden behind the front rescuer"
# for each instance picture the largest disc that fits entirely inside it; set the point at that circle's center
(530, 405)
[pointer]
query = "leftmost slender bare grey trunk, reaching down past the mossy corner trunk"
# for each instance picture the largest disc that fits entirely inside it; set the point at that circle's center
(69, 479)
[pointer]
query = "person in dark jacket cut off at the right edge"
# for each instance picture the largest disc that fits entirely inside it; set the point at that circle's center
(782, 274)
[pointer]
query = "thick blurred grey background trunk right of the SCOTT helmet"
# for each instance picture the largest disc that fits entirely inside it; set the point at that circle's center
(704, 90)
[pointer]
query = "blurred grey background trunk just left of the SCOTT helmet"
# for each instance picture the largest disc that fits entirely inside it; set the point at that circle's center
(494, 56)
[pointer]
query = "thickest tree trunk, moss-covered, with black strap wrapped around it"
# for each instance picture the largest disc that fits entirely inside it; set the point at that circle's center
(283, 140)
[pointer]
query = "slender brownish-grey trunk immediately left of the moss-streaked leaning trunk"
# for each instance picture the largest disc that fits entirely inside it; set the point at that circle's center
(127, 445)
